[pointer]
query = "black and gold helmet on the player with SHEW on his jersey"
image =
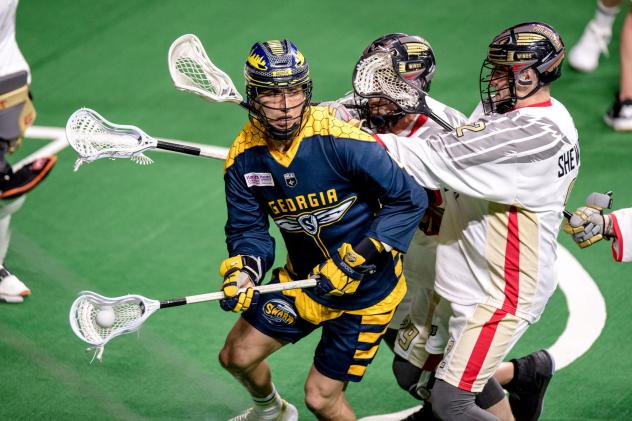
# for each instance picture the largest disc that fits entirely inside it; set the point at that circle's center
(529, 45)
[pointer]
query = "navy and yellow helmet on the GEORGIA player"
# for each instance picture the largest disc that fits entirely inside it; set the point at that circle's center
(276, 66)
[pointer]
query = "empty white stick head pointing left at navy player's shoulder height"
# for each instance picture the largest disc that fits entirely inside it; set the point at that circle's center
(93, 137)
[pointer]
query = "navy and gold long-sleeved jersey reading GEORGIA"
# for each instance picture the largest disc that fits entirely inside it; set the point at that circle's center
(335, 184)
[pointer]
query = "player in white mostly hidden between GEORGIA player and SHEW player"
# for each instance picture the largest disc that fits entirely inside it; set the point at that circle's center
(411, 326)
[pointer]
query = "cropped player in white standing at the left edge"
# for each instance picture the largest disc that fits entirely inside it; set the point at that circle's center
(16, 115)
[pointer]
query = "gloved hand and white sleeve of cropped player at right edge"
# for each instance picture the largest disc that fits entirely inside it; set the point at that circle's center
(589, 225)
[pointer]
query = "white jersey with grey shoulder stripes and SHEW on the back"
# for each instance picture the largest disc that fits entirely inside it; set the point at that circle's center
(508, 177)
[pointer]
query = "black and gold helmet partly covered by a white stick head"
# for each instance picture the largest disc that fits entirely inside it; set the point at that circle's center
(413, 59)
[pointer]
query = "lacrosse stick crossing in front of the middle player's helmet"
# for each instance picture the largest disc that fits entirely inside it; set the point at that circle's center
(375, 77)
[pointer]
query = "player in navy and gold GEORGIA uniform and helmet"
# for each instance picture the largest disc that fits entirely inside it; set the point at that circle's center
(345, 218)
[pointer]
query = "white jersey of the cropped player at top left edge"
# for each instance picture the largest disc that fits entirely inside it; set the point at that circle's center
(12, 59)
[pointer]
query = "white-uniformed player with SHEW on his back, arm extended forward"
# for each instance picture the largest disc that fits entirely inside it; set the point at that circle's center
(508, 176)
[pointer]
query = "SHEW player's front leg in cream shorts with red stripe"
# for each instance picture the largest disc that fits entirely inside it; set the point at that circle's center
(480, 337)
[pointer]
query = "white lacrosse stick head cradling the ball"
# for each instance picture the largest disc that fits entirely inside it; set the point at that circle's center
(130, 312)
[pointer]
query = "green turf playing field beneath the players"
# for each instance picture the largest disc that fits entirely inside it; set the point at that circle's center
(118, 228)
